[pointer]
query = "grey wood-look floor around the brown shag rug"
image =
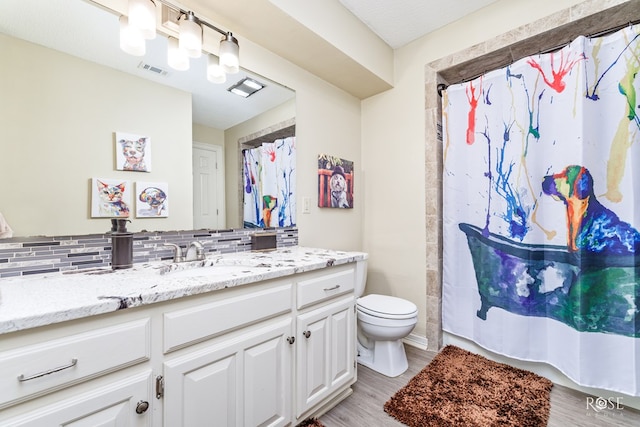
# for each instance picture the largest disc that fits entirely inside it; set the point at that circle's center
(364, 406)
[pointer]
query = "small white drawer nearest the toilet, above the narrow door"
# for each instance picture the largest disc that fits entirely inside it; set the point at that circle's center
(325, 285)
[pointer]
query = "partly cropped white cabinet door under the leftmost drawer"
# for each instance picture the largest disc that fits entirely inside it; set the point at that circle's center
(114, 405)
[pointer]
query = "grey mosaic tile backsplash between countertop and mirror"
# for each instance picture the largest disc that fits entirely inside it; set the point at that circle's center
(40, 255)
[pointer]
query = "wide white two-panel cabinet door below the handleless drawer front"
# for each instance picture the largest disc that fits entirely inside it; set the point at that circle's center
(244, 380)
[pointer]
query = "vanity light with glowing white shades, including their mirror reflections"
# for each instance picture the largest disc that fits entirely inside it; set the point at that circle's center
(135, 28)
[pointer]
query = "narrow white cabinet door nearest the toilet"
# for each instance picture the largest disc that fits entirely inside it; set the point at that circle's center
(326, 352)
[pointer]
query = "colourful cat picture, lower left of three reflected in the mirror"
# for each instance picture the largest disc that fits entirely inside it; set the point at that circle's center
(110, 198)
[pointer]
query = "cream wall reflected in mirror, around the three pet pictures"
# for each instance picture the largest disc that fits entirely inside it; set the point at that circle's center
(58, 116)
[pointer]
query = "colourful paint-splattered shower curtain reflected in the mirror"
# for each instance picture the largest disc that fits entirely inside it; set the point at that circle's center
(269, 184)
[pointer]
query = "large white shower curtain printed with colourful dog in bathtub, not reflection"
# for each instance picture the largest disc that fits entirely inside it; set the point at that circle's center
(541, 210)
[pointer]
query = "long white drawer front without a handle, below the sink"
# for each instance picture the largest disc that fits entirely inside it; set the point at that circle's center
(191, 325)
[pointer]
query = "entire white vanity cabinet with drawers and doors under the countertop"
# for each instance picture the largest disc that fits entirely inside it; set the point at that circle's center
(270, 353)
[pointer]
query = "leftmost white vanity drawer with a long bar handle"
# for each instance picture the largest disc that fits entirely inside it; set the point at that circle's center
(41, 368)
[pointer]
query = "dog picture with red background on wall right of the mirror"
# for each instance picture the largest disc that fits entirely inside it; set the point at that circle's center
(335, 182)
